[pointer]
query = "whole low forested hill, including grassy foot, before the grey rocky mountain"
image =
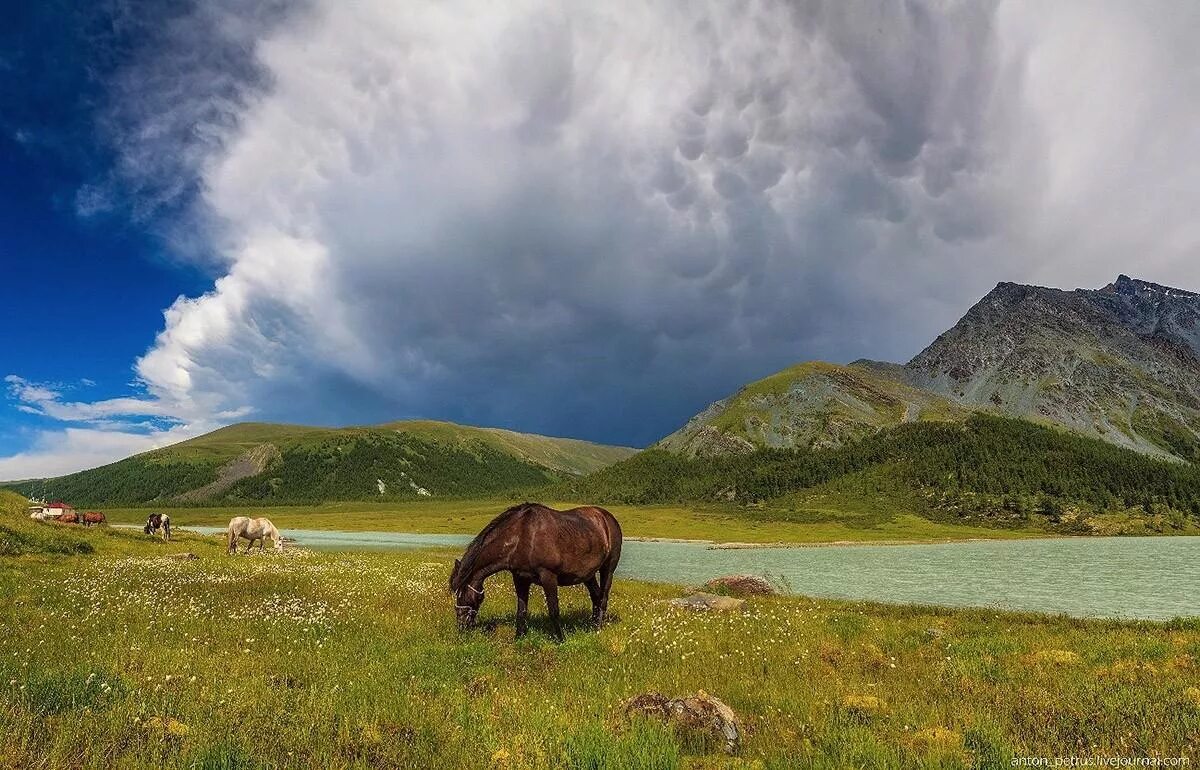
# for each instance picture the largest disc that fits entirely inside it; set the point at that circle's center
(983, 470)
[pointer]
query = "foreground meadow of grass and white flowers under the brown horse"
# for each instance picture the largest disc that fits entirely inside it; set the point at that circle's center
(367, 670)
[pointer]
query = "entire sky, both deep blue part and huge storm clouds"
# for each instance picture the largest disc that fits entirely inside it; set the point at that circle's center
(575, 220)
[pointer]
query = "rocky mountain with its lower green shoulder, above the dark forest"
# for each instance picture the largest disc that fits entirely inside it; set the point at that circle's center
(1119, 364)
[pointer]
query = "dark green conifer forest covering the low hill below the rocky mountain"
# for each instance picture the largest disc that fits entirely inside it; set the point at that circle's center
(1012, 462)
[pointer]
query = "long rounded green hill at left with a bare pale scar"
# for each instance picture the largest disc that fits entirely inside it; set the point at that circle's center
(262, 464)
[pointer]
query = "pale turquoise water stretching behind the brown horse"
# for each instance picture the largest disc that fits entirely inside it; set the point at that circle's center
(1111, 577)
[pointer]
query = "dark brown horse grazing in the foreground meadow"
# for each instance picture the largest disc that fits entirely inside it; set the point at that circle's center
(541, 545)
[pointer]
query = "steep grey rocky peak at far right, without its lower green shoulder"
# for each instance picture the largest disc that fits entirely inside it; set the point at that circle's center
(1121, 363)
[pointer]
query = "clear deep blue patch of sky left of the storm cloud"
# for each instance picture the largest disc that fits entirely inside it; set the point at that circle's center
(82, 292)
